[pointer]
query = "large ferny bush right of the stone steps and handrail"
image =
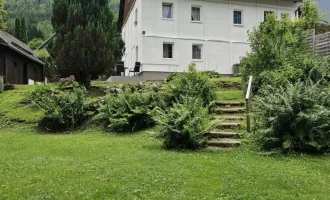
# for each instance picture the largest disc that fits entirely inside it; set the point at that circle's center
(294, 118)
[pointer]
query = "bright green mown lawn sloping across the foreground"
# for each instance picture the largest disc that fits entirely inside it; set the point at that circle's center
(92, 164)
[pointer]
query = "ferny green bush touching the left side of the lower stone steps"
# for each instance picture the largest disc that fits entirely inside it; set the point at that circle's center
(184, 125)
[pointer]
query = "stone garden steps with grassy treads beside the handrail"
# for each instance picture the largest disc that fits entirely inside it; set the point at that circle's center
(227, 134)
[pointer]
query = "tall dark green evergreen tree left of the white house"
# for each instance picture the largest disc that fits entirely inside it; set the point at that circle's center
(87, 41)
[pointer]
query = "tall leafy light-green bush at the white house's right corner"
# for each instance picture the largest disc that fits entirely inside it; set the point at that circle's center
(279, 50)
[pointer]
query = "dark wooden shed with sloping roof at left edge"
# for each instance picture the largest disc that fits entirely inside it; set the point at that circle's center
(18, 63)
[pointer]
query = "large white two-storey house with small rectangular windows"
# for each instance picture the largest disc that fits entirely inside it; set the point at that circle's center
(168, 35)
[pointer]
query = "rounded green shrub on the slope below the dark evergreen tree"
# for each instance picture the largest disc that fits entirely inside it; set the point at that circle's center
(65, 110)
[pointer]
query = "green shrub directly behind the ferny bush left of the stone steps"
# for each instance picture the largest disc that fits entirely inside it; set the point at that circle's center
(190, 84)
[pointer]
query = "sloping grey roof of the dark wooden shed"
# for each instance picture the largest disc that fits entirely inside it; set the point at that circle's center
(18, 46)
